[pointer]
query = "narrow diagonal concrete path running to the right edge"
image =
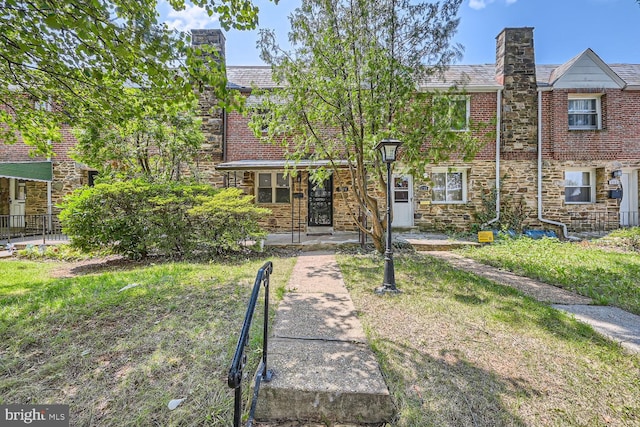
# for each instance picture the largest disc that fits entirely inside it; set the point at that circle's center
(612, 322)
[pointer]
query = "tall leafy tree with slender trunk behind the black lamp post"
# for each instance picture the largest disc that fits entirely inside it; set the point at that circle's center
(350, 79)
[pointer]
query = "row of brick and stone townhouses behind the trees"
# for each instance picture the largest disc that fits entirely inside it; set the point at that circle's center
(565, 157)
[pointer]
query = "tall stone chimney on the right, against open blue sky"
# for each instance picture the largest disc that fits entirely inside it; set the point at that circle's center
(516, 71)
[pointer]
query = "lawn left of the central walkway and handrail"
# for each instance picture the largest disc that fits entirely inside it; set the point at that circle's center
(118, 356)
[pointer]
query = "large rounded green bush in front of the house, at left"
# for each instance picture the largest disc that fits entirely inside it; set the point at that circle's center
(137, 219)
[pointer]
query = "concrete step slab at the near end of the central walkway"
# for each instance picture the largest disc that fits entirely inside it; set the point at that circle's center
(323, 381)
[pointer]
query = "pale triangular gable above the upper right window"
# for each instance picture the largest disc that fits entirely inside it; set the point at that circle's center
(585, 71)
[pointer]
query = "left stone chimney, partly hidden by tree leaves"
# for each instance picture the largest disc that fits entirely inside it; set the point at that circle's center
(212, 115)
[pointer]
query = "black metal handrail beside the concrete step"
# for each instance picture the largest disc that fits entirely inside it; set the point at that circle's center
(240, 358)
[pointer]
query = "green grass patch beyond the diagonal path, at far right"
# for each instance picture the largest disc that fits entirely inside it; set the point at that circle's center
(608, 277)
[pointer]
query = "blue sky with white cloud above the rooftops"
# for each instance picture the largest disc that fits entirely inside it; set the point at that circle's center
(563, 28)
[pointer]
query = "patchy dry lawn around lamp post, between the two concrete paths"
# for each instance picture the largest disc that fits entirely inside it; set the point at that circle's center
(457, 349)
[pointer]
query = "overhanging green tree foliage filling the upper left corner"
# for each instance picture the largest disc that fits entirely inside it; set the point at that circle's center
(65, 61)
